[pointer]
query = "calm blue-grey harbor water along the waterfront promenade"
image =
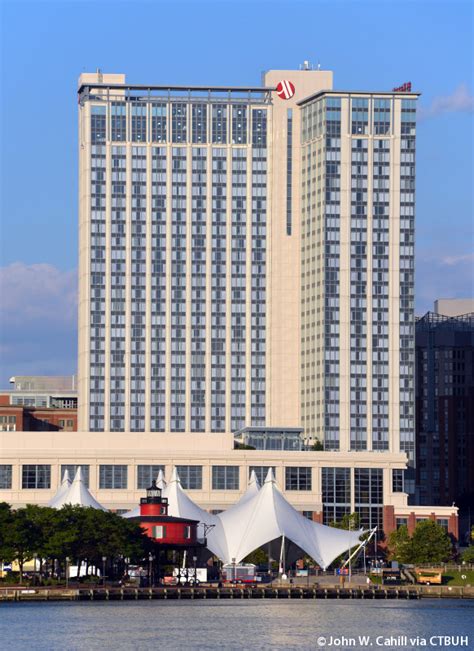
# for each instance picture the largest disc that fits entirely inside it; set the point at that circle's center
(292, 624)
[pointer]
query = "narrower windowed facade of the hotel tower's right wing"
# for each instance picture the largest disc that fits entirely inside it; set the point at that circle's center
(374, 314)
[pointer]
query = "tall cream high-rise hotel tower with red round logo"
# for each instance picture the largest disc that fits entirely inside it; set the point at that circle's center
(246, 259)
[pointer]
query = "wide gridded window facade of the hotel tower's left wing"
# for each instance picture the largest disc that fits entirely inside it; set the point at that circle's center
(205, 210)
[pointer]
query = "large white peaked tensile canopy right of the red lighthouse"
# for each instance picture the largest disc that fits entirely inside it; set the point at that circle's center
(260, 517)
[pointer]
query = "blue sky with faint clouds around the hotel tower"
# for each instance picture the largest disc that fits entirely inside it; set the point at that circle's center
(369, 46)
